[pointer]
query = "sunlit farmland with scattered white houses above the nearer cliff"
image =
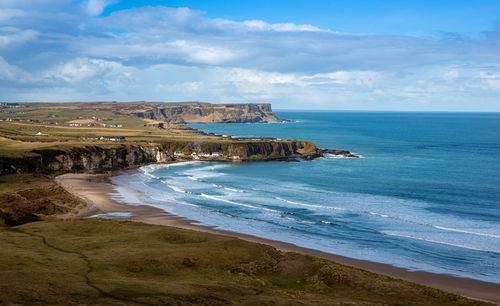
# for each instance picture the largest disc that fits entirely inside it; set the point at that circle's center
(42, 117)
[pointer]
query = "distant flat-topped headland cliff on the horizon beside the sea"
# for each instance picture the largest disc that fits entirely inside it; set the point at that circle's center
(197, 112)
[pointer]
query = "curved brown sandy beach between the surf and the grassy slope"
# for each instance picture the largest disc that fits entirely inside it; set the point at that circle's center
(95, 189)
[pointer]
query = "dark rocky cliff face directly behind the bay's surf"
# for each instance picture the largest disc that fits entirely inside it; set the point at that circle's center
(91, 158)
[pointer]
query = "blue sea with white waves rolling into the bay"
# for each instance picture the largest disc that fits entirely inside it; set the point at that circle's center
(425, 195)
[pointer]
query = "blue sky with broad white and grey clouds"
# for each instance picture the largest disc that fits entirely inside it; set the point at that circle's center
(317, 54)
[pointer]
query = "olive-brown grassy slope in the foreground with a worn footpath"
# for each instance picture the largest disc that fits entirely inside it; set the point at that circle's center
(120, 262)
